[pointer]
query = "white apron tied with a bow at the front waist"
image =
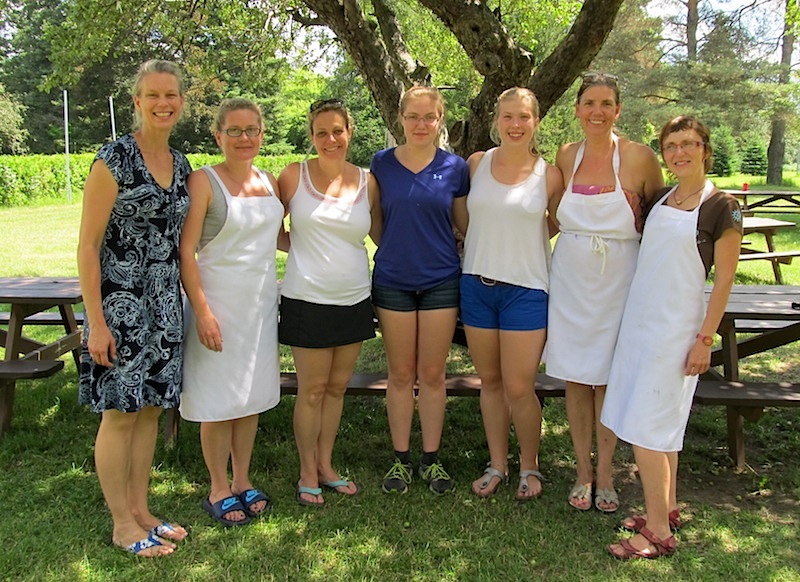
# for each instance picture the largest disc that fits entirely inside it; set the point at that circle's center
(593, 263)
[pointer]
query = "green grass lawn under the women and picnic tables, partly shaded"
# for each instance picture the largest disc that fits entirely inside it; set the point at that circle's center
(55, 525)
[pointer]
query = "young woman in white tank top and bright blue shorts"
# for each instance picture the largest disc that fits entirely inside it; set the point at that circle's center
(504, 285)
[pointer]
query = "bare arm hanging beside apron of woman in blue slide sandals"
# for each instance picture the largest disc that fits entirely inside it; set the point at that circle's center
(200, 195)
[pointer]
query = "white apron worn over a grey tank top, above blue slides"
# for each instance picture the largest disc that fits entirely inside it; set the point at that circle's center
(237, 269)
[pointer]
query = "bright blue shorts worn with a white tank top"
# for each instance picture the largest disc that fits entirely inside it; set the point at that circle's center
(490, 304)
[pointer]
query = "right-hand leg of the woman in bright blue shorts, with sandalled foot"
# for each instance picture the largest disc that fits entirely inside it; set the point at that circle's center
(520, 353)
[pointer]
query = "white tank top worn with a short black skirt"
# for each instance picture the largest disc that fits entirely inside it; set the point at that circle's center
(328, 260)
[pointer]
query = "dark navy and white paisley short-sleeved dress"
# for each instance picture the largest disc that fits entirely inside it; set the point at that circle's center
(140, 286)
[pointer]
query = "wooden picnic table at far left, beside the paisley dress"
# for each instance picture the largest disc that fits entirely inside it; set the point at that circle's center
(30, 298)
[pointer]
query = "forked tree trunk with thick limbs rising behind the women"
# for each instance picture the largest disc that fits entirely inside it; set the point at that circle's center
(494, 53)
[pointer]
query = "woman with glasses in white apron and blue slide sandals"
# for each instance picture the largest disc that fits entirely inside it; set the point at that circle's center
(231, 369)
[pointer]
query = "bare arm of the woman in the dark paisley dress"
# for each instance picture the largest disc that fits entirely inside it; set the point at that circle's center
(99, 194)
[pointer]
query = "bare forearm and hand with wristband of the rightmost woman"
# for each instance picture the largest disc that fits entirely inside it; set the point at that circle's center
(726, 258)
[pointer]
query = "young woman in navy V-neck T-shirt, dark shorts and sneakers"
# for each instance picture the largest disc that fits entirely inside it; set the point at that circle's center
(415, 280)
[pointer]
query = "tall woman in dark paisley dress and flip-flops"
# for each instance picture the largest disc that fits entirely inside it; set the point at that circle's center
(135, 201)
